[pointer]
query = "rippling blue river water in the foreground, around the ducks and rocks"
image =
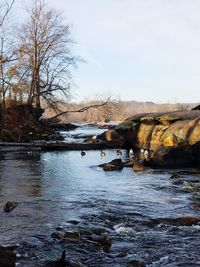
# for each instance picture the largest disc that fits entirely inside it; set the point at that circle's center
(62, 190)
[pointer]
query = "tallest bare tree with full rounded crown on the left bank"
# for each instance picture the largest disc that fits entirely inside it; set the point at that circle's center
(45, 52)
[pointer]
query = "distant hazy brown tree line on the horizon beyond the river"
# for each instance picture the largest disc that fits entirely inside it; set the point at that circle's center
(117, 110)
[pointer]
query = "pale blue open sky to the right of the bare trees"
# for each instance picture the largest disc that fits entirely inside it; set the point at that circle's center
(145, 50)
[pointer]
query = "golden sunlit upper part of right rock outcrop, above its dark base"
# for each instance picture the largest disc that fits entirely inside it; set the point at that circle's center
(153, 130)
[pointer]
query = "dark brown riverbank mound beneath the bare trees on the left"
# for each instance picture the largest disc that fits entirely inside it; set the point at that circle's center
(22, 123)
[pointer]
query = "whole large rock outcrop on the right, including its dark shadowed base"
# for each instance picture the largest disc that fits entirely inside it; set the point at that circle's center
(172, 139)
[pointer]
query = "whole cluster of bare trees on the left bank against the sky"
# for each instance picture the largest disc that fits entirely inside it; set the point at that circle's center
(35, 57)
